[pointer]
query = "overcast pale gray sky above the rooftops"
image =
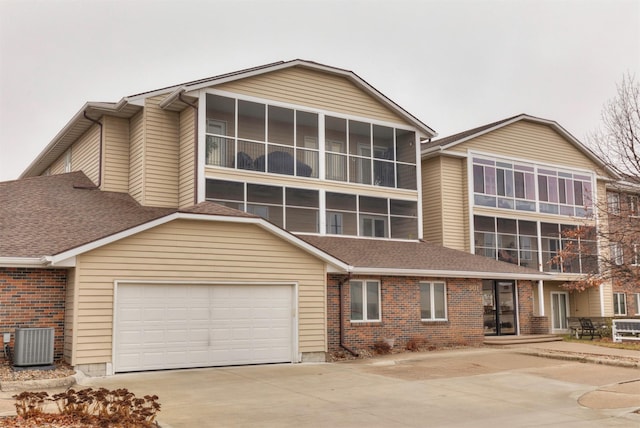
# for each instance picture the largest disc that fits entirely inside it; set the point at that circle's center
(453, 64)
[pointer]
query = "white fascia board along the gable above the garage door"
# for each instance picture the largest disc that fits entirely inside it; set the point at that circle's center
(64, 257)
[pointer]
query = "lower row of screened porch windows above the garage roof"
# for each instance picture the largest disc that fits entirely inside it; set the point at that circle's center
(298, 210)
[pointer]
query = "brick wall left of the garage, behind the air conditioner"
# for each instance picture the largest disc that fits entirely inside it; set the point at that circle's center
(33, 298)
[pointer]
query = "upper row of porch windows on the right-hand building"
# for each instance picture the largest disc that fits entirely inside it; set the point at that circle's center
(512, 185)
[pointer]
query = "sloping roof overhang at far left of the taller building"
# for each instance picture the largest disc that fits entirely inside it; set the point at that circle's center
(74, 129)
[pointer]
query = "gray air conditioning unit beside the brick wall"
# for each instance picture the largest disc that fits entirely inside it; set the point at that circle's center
(33, 347)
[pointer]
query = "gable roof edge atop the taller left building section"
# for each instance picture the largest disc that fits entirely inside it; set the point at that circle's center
(176, 100)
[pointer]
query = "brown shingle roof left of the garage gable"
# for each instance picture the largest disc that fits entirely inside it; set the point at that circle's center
(47, 215)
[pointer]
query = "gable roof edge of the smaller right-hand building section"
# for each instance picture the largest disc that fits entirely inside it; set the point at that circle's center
(442, 144)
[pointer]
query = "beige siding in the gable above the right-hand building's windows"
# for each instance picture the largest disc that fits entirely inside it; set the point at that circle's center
(529, 141)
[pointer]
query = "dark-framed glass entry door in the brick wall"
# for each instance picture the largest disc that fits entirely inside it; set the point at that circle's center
(498, 299)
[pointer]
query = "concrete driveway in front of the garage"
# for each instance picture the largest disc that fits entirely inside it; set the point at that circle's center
(463, 388)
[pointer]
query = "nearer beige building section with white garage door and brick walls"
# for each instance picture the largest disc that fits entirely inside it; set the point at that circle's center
(272, 214)
